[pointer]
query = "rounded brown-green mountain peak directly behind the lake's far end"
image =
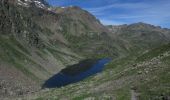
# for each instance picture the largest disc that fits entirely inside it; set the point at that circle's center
(77, 28)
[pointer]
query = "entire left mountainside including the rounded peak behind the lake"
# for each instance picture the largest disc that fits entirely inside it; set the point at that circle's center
(33, 41)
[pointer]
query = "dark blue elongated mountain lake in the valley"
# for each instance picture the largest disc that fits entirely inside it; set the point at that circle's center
(76, 73)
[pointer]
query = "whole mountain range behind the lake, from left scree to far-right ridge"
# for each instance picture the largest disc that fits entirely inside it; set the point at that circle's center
(37, 41)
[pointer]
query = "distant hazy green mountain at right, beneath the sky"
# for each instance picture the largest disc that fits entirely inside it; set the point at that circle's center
(141, 36)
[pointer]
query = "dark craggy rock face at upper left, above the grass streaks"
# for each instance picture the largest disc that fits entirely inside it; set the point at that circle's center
(15, 23)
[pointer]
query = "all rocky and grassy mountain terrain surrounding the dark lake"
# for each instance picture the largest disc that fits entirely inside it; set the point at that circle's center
(37, 41)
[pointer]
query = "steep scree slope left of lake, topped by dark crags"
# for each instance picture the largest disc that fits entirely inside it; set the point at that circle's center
(27, 48)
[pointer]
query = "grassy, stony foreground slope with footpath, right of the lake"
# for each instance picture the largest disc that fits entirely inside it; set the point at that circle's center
(147, 78)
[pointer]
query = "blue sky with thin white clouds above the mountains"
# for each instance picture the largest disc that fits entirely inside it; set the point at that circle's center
(118, 12)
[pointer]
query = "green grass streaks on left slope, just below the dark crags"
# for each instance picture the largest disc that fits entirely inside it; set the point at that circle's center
(11, 54)
